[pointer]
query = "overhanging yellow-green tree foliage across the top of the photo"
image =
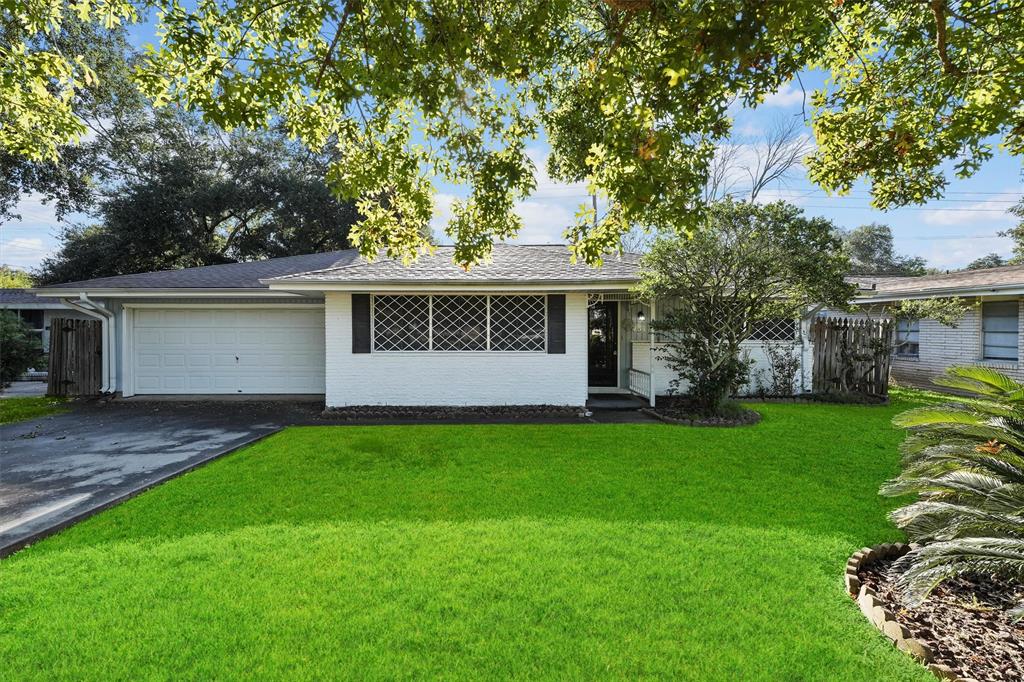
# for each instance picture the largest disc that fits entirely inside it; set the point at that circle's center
(632, 96)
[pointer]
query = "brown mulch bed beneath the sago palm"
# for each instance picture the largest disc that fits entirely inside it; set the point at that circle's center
(965, 622)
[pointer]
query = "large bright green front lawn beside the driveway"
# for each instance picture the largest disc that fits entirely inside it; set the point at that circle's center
(579, 551)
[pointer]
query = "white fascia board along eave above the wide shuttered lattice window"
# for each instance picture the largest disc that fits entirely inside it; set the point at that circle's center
(449, 286)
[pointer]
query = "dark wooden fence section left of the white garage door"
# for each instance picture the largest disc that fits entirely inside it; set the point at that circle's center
(76, 358)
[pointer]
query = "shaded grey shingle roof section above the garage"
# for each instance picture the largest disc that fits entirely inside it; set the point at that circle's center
(230, 276)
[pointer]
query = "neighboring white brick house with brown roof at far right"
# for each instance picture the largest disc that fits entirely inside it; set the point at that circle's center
(990, 334)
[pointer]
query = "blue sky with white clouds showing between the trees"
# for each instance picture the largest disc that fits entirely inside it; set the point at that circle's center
(949, 233)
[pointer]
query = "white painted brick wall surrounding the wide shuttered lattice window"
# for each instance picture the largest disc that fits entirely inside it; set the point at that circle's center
(454, 378)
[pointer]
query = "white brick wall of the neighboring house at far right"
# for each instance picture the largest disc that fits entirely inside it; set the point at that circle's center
(945, 347)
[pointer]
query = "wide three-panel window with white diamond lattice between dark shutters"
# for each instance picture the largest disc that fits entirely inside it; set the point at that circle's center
(459, 323)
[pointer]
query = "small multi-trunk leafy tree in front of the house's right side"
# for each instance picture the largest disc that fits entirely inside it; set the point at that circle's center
(748, 264)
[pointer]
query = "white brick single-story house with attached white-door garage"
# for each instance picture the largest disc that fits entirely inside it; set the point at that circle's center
(527, 328)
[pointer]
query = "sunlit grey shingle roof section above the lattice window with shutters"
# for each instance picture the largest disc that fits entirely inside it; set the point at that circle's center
(508, 264)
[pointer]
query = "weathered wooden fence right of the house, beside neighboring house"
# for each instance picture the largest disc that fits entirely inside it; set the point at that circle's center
(852, 356)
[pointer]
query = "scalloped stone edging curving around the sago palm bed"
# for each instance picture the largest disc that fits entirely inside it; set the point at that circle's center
(880, 616)
